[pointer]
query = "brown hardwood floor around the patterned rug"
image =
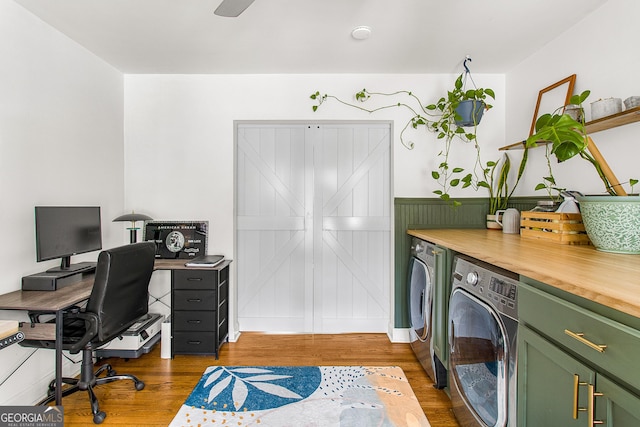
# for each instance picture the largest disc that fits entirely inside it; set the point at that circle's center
(169, 381)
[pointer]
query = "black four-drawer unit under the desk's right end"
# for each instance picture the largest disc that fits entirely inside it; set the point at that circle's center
(199, 309)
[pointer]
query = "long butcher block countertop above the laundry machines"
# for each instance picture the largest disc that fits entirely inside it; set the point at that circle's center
(610, 279)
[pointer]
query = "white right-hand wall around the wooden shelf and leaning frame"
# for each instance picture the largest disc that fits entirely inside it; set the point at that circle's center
(602, 51)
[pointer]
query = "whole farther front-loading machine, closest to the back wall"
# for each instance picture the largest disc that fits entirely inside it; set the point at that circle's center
(421, 301)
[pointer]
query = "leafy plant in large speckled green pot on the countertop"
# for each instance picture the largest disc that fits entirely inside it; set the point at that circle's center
(612, 222)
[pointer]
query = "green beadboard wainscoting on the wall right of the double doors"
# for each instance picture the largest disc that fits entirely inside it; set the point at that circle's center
(412, 213)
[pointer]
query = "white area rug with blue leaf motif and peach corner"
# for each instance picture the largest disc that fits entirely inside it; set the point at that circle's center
(302, 396)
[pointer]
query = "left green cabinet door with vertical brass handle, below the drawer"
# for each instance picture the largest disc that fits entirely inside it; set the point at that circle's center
(549, 390)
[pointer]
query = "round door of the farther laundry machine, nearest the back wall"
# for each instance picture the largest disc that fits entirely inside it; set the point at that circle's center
(420, 299)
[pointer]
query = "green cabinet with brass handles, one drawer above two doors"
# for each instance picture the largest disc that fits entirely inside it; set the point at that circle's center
(575, 367)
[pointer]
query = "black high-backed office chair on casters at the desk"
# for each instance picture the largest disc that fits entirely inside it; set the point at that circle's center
(119, 298)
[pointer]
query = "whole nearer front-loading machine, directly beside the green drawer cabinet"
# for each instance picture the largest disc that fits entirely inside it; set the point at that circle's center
(483, 333)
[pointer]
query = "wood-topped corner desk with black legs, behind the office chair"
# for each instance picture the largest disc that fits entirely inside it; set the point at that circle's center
(57, 301)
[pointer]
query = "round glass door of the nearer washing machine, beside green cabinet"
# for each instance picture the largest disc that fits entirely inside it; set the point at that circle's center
(478, 358)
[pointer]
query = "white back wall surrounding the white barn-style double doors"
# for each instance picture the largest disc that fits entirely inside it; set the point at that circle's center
(187, 120)
